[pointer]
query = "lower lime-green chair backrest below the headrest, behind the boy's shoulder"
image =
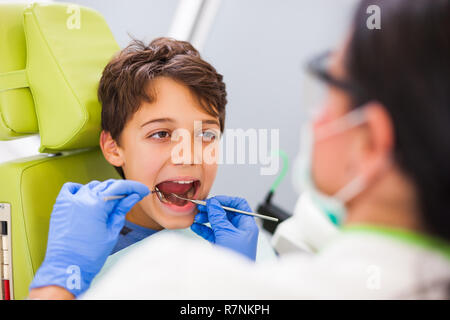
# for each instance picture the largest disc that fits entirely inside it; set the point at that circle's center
(31, 189)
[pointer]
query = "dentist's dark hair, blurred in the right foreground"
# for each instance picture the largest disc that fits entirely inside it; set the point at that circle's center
(405, 66)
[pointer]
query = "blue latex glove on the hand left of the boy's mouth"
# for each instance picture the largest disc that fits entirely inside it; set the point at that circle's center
(83, 231)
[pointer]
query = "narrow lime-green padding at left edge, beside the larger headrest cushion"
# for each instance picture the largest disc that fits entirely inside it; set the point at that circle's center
(17, 114)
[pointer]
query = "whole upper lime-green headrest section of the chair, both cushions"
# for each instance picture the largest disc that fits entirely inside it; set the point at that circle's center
(64, 63)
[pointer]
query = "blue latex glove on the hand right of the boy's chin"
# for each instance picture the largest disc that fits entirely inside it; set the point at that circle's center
(235, 231)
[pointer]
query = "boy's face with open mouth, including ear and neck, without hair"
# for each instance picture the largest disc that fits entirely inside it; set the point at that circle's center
(146, 148)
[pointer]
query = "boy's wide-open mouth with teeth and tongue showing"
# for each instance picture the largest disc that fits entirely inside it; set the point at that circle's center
(183, 188)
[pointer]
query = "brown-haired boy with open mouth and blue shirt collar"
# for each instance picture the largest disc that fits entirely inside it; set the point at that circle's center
(149, 93)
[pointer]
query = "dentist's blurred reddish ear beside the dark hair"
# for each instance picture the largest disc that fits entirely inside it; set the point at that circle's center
(379, 142)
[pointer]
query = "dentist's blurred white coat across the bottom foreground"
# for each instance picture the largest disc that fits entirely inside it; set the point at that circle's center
(358, 264)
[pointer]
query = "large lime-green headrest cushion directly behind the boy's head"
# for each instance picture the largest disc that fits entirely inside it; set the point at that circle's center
(67, 48)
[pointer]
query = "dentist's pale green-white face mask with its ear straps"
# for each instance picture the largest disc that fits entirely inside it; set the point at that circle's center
(331, 206)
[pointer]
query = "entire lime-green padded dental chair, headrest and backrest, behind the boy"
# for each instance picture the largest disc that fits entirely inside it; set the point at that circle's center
(51, 59)
